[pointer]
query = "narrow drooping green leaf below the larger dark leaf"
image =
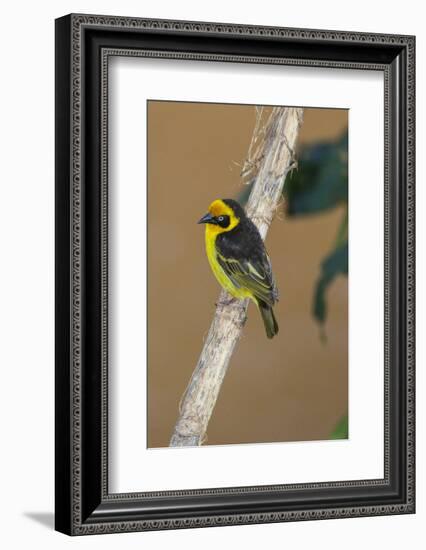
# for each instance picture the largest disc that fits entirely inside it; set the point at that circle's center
(334, 264)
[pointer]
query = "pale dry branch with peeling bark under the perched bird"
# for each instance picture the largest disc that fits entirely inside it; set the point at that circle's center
(272, 147)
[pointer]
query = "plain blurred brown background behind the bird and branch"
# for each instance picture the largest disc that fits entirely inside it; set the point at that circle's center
(291, 388)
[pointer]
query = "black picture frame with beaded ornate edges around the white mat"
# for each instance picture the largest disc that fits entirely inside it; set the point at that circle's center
(83, 45)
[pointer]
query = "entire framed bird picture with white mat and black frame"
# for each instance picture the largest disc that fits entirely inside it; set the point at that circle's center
(234, 274)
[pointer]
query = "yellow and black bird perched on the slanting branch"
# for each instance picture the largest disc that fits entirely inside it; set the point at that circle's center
(238, 258)
